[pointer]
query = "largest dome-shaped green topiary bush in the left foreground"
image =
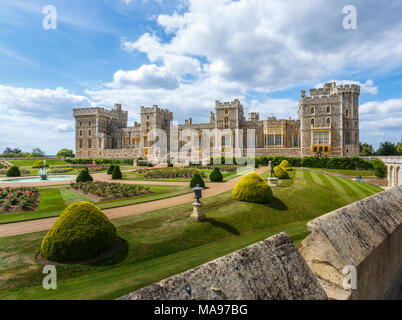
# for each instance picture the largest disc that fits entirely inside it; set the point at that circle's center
(81, 232)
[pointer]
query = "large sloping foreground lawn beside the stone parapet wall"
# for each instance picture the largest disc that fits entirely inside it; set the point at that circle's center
(166, 242)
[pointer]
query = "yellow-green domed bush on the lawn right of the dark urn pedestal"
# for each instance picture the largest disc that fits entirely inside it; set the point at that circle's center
(252, 188)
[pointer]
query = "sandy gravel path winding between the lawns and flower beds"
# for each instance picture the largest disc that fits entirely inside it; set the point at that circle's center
(23, 227)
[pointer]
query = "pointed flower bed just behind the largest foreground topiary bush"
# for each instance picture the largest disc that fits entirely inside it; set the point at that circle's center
(101, 191)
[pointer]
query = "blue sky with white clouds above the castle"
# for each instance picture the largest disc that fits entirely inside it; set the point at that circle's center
(185, 54)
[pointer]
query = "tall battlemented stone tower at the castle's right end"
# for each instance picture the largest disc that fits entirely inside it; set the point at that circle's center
(329, 121)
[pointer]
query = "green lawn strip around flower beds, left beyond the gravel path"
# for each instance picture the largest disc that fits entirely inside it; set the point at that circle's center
(53, 200)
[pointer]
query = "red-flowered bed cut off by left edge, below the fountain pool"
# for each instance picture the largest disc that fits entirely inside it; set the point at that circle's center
(18, 199)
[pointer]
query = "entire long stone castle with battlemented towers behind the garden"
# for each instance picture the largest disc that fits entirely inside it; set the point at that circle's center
(327, 125)
